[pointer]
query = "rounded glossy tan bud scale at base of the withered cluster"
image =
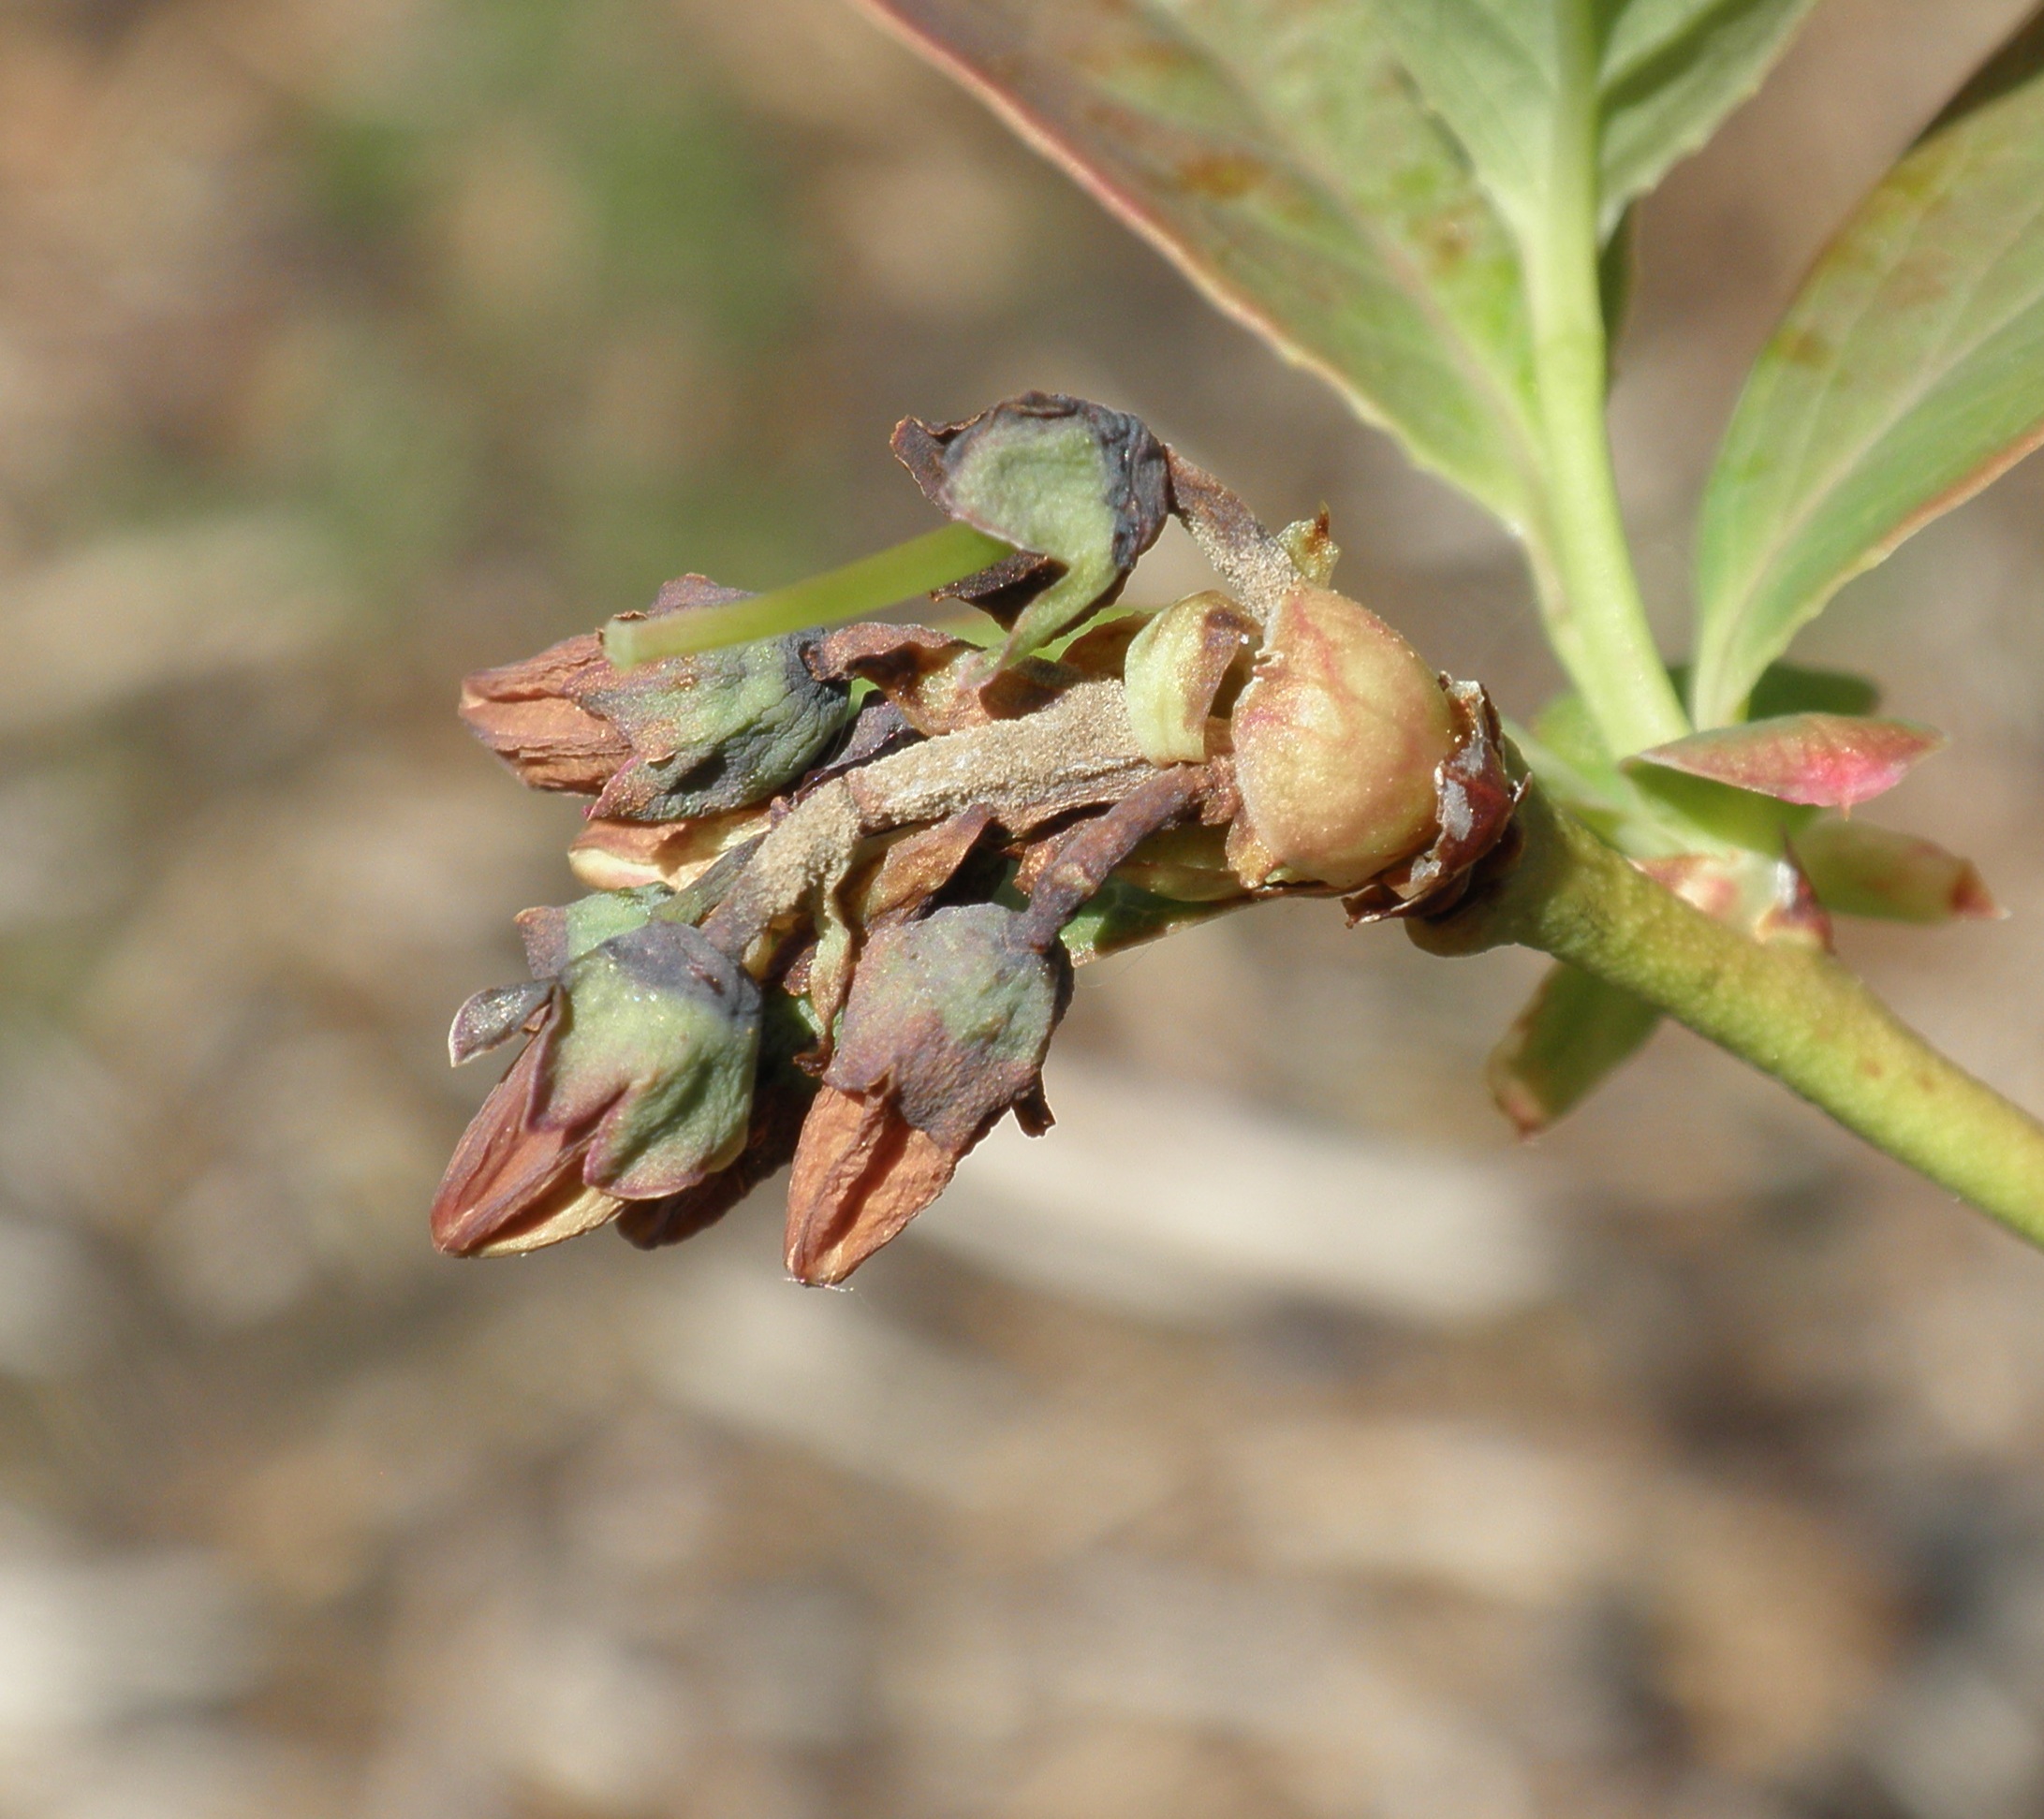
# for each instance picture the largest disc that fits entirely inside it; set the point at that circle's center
(1338, 739)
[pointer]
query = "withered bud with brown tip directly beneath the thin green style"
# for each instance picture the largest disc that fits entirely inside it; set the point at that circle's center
(669, 741)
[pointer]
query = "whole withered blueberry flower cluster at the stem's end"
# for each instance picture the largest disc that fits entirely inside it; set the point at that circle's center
(841, 878)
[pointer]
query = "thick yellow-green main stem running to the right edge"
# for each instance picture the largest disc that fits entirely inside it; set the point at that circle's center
(1792, 1013)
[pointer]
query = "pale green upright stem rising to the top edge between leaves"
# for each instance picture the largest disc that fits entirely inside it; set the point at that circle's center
(1593, 606)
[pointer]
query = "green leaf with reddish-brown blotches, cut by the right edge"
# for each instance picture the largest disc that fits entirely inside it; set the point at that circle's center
(1906, 377)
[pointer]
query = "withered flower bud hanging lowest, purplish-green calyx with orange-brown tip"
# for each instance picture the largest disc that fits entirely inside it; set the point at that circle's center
(945, 1031)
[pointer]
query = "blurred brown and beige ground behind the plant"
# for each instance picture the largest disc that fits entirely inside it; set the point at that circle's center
(1276, 1438)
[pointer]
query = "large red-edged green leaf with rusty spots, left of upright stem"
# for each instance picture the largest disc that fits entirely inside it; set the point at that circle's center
(1276, 152)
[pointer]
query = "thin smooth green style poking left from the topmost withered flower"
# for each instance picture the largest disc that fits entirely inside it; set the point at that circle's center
(868, 586)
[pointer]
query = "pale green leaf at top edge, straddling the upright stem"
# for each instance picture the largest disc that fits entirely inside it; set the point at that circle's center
(1612, 89)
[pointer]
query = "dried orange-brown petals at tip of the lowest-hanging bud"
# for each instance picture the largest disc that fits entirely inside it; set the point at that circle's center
(862, 1174)
